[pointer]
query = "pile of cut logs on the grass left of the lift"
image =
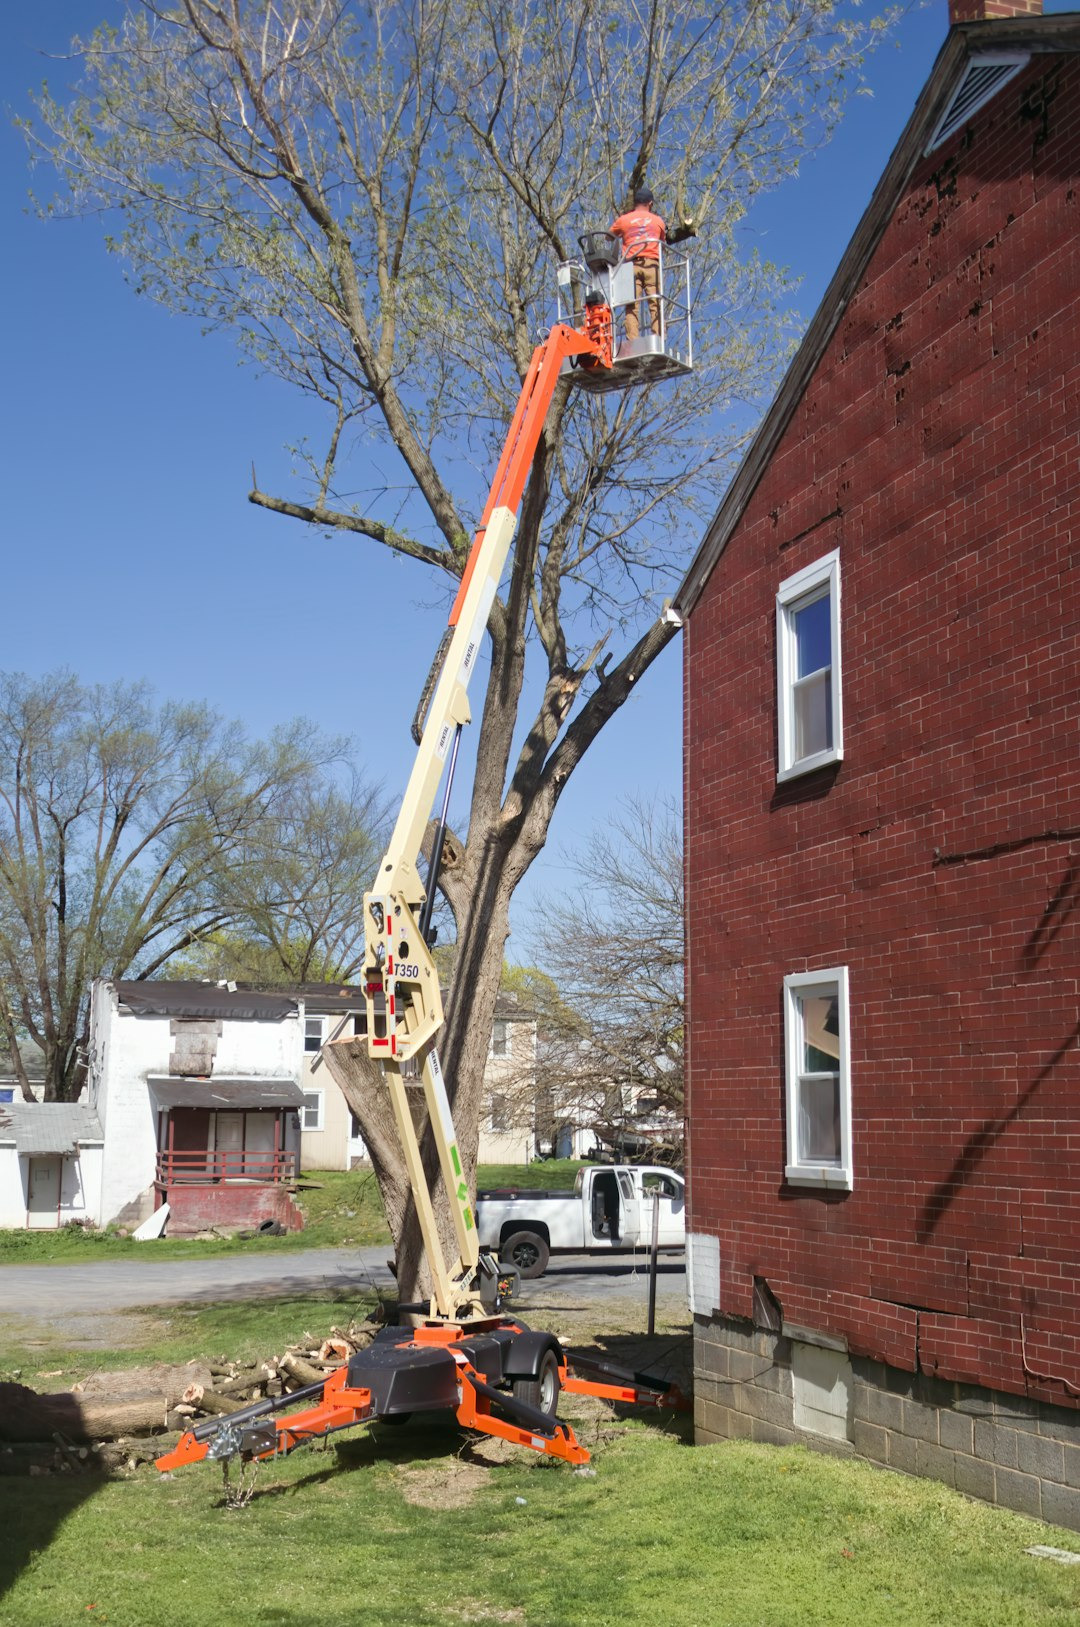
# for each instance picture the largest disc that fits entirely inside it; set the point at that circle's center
(76, 1431)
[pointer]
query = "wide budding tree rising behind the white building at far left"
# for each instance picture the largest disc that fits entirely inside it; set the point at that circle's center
(121, 824)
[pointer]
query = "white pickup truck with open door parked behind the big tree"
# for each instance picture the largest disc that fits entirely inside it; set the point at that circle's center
(611, 1208)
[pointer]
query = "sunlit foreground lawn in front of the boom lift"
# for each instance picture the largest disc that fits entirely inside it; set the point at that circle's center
(414, 1529)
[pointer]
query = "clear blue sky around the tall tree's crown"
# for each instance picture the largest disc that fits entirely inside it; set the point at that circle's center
(129, 547)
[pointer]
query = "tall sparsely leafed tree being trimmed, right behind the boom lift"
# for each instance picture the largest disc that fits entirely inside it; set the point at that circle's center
(373, 198)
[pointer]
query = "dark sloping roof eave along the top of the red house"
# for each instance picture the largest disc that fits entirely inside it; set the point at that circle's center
(1029, 33)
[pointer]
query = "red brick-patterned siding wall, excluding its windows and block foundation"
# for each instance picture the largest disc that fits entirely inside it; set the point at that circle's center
(938, 448)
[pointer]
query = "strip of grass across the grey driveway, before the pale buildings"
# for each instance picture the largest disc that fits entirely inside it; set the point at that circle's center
(341, 1210)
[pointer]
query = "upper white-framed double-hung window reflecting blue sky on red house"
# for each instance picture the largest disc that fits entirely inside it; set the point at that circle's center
(808, 670)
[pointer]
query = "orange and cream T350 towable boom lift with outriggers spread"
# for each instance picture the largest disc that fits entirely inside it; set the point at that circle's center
(499, 1376)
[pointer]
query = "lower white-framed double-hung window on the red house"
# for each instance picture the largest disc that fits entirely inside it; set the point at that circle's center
(817, 1053)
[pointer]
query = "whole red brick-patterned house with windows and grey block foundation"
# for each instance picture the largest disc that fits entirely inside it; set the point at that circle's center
(884, 842)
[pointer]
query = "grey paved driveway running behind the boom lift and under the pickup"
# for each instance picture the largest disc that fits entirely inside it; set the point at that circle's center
(131, 1285)
